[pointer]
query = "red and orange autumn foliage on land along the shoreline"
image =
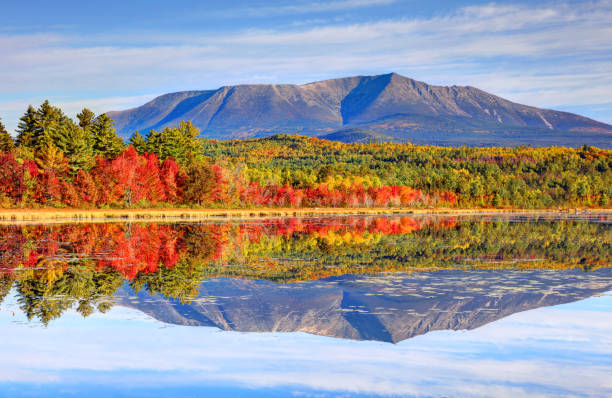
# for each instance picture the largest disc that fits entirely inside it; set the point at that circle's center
(141, 179)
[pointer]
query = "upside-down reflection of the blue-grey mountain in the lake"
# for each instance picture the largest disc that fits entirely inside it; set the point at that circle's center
(388, 308)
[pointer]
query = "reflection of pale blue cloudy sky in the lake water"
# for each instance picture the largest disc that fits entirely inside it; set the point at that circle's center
(562, 350)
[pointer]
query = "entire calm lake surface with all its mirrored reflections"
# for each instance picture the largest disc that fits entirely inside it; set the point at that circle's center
(322, 306)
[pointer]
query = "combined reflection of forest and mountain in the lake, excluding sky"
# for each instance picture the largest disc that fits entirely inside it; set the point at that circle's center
(380, 278)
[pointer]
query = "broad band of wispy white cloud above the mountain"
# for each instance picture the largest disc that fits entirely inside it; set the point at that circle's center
(556, 54)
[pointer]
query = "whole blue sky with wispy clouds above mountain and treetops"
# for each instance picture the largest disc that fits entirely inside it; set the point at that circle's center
(117, 54)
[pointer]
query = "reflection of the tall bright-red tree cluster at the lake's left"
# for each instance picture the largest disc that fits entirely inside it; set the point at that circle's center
(129, 249)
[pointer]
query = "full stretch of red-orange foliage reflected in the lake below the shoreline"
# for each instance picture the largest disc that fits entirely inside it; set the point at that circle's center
(133, 248)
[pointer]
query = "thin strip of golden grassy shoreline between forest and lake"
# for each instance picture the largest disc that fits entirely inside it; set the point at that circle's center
(10, 216)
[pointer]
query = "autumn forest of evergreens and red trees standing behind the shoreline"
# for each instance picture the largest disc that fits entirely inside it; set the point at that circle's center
(58, 162)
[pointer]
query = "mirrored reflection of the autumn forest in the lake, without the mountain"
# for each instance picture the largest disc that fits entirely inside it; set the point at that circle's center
(57, 267)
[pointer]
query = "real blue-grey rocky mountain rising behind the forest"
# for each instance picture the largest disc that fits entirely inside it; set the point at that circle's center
(390, 105)
